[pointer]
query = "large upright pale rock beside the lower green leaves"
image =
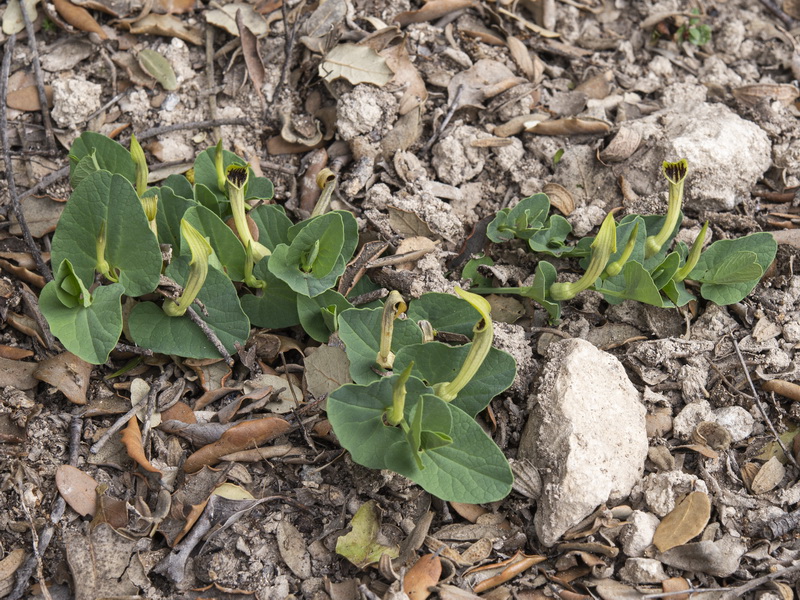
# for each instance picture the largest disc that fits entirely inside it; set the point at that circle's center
(586, 435)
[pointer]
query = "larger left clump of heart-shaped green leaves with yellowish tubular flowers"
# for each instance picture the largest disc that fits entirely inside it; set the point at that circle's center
(186, 268)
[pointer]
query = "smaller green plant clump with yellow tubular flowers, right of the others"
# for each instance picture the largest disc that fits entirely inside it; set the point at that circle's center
(632, 260)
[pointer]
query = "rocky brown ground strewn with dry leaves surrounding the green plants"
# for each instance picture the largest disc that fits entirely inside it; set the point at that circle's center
(644, 463)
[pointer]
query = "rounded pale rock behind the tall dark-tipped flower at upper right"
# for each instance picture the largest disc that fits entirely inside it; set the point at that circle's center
(726, 154)
